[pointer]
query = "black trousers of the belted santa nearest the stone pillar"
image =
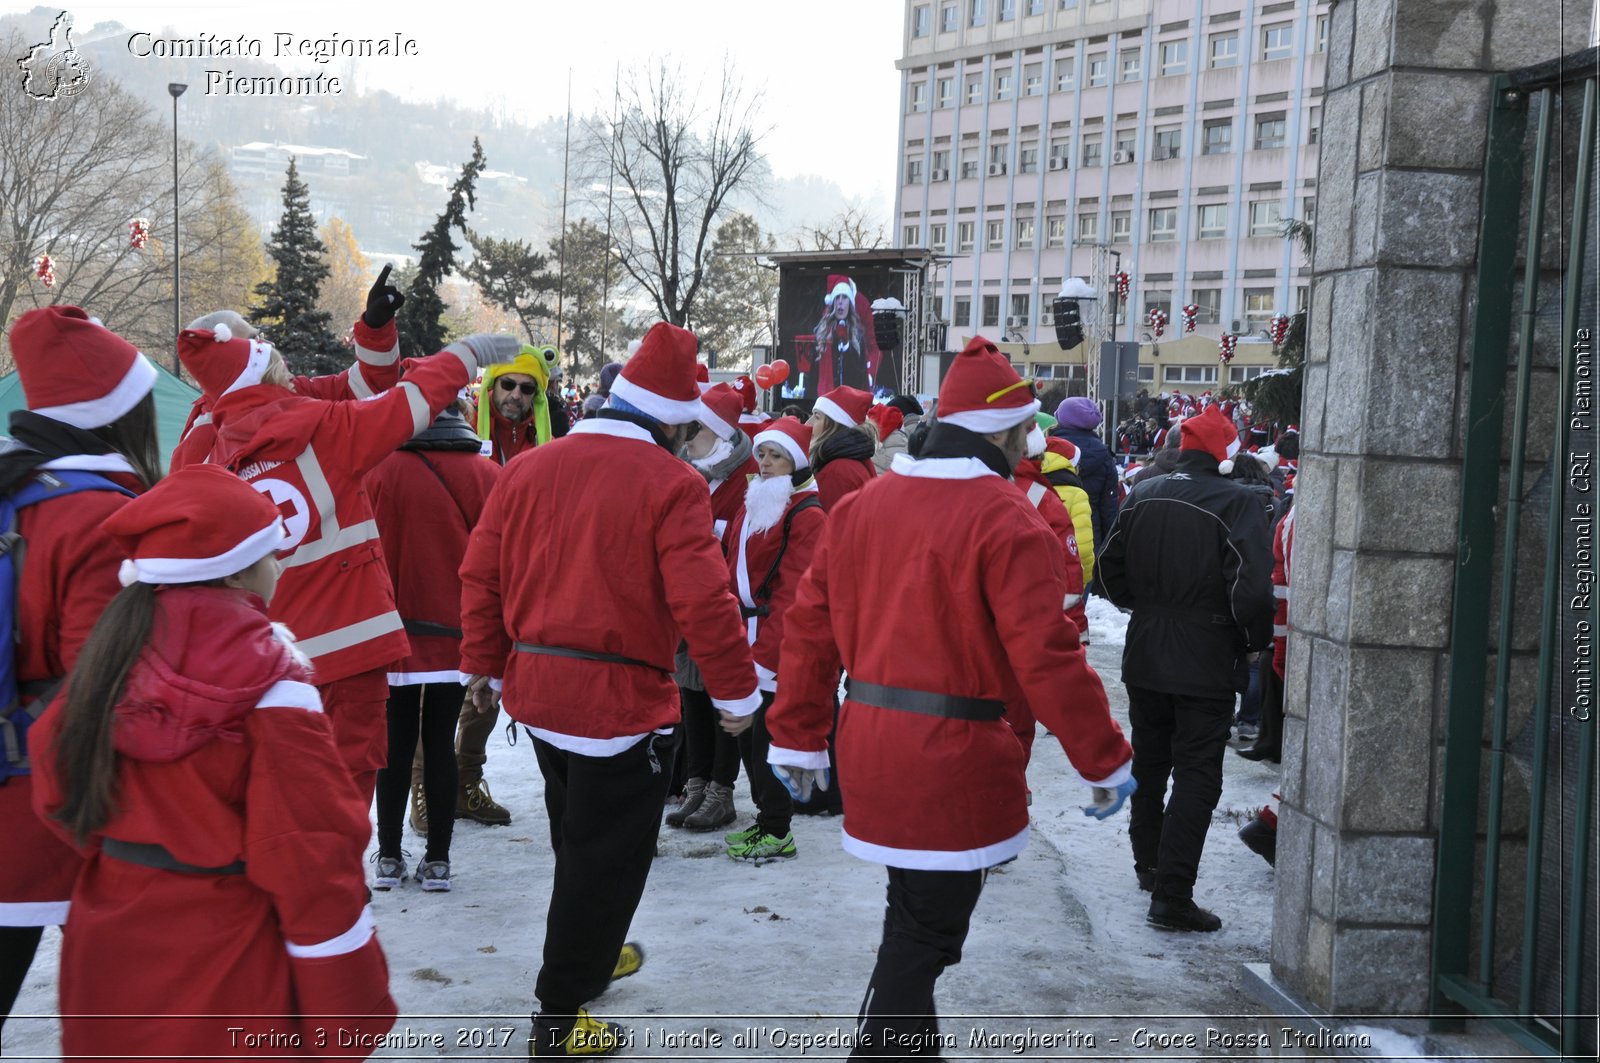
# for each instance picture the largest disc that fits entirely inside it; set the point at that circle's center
(924, 929)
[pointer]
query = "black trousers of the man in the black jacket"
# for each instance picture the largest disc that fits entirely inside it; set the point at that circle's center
(1178, 739)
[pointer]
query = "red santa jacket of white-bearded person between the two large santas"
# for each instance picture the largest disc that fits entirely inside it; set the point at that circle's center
(751, 558)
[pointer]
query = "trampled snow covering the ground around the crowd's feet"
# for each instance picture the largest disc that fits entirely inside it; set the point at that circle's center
(1058, 950)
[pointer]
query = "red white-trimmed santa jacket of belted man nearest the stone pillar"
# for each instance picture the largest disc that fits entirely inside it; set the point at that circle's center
(975, 580)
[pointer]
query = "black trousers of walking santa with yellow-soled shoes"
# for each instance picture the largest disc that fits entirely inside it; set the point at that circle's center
(606, 816)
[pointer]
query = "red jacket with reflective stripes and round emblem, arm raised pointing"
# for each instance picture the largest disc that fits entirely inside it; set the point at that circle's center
(311, 459)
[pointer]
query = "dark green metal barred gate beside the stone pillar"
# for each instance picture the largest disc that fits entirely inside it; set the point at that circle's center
(1516, 889)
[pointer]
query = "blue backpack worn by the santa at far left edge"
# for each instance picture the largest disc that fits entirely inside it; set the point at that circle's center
(15, 718)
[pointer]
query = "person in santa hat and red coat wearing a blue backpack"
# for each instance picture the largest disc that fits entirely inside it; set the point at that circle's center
(90, 420)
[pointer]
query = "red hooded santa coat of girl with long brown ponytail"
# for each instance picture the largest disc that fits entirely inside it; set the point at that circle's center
(223, 758)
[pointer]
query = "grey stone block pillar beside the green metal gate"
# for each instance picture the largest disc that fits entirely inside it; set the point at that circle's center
(1406, 121)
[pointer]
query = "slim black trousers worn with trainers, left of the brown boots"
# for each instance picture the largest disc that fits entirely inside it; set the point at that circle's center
(431, 712)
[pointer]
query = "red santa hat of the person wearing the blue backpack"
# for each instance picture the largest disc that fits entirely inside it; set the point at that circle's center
(76, 371)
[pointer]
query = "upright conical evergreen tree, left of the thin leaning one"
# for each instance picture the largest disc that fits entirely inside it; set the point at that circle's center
(287, 315)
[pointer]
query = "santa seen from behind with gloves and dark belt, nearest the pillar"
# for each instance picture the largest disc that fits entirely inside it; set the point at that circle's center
(934, 776)
